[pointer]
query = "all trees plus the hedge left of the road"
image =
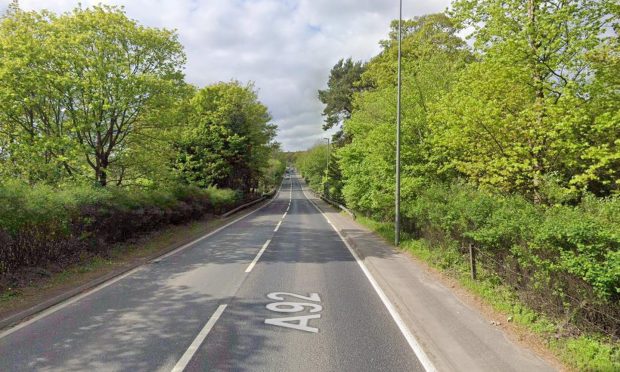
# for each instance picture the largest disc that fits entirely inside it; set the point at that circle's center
(101, 138)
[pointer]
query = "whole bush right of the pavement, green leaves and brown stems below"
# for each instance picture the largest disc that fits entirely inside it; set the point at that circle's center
(562, 259)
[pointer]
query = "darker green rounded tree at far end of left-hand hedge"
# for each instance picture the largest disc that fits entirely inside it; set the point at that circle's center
(228, 138)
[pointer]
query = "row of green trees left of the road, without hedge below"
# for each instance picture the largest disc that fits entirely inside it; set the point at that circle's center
(91, 96)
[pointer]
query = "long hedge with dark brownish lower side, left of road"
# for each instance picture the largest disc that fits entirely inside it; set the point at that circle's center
(41, 225)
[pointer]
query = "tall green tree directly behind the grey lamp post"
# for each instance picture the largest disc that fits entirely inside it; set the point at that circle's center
(432, 56)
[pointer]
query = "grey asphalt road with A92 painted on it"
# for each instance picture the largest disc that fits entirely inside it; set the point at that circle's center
(277, 290)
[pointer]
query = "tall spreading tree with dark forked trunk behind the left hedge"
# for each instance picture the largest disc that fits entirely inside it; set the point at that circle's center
(118, 71)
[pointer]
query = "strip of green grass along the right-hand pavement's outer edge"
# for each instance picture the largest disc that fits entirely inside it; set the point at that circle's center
(590, 352)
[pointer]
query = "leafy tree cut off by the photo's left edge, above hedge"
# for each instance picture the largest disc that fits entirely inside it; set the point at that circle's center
(33, 135)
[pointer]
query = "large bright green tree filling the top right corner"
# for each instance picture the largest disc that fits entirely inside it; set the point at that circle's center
(538, 106)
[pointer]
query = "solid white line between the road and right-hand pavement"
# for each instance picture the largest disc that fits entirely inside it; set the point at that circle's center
(413, 343)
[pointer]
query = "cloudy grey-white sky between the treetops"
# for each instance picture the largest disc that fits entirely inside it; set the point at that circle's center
(287, 47)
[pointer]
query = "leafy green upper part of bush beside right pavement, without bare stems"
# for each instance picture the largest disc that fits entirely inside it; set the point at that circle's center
(580, 241)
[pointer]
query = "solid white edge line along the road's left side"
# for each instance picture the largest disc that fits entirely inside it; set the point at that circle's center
(75, 299)
